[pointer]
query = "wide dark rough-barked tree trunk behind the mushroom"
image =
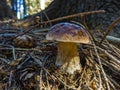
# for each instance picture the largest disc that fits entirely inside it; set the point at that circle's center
(60, 8)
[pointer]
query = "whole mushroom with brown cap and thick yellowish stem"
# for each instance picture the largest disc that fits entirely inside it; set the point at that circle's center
(68, 35)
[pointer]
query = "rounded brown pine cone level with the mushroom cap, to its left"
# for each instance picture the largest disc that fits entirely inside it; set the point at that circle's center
(24, 41)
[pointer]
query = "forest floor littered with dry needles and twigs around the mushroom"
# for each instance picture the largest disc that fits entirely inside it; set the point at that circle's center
(25, 67)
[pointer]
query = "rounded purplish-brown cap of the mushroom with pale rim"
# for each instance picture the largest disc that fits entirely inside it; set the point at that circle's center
(68, 32)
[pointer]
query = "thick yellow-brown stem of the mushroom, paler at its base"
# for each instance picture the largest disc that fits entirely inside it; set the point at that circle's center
(68, 57)
